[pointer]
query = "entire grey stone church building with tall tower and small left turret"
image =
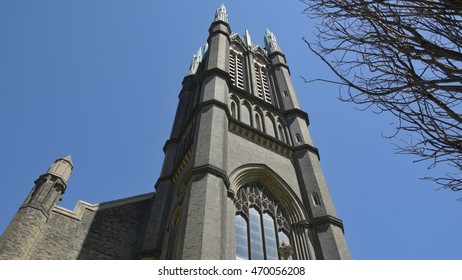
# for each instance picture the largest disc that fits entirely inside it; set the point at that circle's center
(241, 178)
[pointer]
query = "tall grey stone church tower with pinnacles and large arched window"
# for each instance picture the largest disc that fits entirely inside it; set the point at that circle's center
(241, 178)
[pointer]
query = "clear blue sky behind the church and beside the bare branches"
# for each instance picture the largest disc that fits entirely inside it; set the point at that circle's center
(99, 80)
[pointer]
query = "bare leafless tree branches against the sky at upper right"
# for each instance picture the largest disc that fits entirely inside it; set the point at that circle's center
(404, 58)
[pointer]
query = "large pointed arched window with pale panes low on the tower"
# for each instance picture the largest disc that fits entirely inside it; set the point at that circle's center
(261, 226)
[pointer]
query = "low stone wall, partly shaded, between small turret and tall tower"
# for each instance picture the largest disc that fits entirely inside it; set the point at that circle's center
(109, 233)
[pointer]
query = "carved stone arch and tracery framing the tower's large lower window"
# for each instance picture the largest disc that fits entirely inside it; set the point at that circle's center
(271, 194)
